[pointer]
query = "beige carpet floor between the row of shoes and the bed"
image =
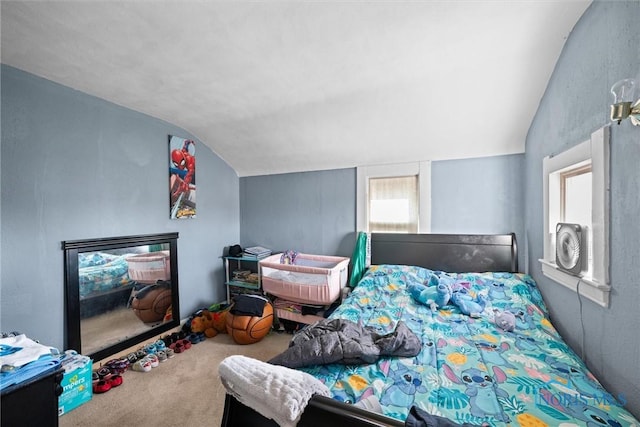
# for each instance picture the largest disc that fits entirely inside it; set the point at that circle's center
(183, 391)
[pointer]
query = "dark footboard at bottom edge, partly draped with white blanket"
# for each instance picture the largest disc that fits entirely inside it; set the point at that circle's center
(320, 412)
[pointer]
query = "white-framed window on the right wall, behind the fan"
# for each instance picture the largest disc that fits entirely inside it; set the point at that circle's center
(576, 190)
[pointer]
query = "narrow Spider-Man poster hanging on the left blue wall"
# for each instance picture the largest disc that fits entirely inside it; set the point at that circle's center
(182, 177)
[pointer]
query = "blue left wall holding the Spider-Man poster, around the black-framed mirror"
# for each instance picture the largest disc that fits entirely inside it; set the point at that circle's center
(75, 166)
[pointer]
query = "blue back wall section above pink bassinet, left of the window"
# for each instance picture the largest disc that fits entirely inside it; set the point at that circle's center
(310, 212)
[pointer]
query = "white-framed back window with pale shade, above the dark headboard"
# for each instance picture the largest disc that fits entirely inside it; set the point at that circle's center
(394, 198)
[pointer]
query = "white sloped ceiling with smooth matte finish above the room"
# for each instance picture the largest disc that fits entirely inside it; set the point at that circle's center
(286, 86)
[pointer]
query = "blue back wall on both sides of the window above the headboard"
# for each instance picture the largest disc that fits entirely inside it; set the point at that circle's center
(314, 212)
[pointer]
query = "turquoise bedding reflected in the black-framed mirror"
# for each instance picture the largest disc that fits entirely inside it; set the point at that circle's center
(101, 271)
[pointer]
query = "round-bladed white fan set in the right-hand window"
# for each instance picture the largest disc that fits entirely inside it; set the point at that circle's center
(571, 252)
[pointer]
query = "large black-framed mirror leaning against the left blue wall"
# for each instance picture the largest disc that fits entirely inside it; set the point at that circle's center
(119, 291)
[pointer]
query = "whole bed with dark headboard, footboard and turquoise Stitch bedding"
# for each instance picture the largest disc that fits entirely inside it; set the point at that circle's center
(469, 370)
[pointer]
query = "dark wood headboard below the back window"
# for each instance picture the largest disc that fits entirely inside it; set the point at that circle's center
(455, 253)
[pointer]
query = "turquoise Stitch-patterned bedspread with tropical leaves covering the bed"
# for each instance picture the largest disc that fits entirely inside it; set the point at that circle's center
(469, 370)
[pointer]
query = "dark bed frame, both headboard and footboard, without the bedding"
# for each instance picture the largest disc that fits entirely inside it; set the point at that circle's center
(455, 253)
